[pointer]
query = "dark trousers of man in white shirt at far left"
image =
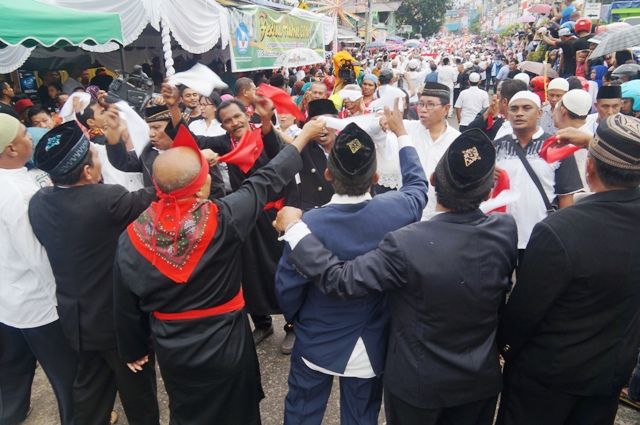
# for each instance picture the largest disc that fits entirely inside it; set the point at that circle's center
(19, 351)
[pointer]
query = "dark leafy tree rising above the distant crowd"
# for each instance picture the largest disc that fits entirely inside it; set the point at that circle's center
(425, 16)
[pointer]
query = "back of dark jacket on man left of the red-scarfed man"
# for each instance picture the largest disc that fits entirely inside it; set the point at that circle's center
(79, 228)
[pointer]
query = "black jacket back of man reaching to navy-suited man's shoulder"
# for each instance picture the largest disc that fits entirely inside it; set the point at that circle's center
(458, 269)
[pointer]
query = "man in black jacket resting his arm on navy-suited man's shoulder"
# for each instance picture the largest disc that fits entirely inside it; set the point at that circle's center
(446, 279)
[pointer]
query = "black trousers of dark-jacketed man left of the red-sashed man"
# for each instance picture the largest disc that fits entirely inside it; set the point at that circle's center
(103, 373)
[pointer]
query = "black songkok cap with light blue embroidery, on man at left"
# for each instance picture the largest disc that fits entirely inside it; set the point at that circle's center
(61, 149)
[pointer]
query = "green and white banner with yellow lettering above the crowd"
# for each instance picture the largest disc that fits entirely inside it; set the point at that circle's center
(265, 39)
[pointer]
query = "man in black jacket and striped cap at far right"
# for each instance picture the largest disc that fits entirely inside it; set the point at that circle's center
(571, 329)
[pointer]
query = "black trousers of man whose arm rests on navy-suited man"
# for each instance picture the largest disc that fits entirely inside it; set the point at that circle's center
(399, 412)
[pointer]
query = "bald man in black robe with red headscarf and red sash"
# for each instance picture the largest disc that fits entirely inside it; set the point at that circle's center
(178, 276)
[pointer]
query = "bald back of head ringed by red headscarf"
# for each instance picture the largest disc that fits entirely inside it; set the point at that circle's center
(176, 168)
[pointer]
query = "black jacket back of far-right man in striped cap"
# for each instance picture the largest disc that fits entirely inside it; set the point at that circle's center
(582, 288)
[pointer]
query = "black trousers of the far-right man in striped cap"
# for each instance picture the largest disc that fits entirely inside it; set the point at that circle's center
(525, 402)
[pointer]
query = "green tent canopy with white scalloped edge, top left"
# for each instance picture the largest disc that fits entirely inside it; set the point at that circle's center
(29, 23)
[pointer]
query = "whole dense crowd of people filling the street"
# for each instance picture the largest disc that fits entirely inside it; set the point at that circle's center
(437, 226)
